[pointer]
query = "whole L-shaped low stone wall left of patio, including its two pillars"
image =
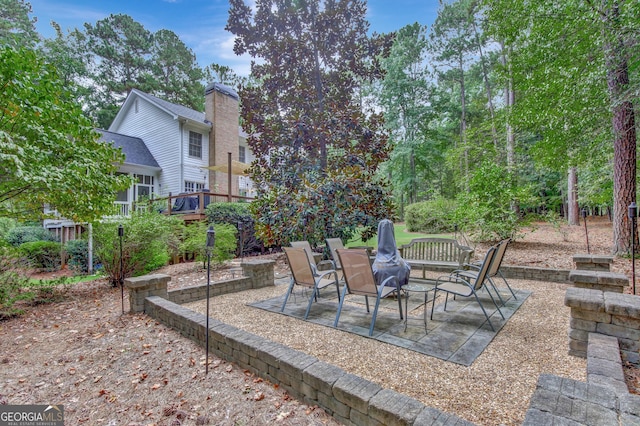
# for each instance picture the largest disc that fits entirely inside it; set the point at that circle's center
(350, 399)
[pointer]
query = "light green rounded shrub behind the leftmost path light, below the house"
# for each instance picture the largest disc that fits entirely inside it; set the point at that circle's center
(150, 238)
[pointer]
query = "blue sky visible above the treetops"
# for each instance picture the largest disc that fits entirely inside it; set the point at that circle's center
(200, 23)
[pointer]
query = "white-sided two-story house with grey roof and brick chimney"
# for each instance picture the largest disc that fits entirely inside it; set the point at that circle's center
(172, 149)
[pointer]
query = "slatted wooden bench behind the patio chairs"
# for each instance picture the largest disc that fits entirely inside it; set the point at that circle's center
(442, 254)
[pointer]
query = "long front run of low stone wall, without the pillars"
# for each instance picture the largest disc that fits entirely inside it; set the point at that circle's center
(350, 399)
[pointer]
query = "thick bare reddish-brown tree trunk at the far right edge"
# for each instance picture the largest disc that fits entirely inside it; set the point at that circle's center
(624, 131)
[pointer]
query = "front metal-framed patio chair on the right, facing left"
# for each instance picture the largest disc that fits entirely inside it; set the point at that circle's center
(467, 286)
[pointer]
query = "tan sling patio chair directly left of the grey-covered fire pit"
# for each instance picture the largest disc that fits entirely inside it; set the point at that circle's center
(359, 280)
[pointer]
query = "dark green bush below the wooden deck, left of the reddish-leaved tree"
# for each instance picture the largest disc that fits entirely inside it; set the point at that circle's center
(236, 214)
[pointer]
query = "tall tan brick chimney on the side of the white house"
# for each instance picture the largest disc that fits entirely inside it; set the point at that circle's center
(221, 108)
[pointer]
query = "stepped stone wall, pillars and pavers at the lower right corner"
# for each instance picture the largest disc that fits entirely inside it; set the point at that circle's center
(604, 328)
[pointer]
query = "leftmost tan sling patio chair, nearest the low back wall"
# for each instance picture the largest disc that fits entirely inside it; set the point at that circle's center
(302, 275)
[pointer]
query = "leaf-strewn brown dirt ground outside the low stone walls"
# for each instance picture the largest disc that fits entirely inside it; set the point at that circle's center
(109, 368)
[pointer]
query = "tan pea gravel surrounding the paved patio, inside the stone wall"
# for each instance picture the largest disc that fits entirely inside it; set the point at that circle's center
(495, 389)
